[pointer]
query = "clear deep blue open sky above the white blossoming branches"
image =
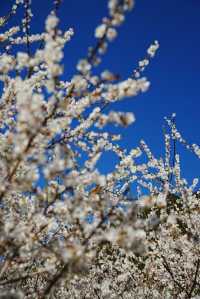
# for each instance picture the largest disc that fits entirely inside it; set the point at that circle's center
(174, 73)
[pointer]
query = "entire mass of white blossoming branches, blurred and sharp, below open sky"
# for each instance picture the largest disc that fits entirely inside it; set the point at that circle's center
(67, 230)
